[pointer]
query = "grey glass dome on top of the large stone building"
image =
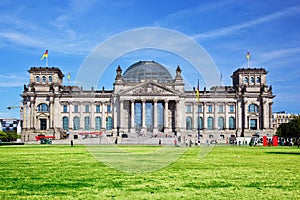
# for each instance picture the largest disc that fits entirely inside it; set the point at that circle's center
(147, 70)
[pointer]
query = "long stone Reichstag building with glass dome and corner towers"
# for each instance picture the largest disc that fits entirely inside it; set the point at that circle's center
(146, 100)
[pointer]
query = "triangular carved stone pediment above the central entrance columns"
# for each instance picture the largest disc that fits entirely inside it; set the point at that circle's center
(149, 89)
